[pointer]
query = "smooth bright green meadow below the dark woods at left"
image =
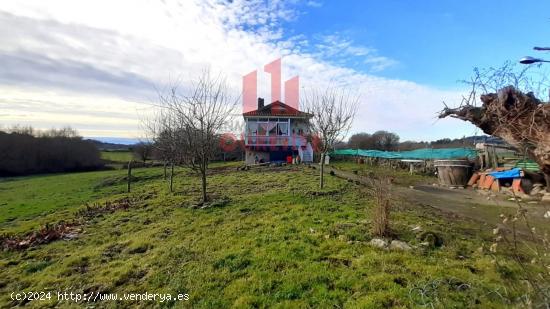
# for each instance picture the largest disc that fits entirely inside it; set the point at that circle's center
(28, 201)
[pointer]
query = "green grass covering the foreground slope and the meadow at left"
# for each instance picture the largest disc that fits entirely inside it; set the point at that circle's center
(274, 242)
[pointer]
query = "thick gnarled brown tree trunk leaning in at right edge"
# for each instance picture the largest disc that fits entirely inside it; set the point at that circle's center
(520, 119)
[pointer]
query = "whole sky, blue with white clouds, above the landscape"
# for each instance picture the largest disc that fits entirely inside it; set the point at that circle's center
(98, 65)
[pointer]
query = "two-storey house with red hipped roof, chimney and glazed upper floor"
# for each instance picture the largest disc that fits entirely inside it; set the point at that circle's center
(276, 133)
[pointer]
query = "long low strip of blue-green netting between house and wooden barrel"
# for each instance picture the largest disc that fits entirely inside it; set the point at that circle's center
(418, 154)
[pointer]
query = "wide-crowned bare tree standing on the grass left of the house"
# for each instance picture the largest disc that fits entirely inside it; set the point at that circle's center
(190, 122)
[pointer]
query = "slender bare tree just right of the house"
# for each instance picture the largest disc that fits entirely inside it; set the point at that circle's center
(333, 111)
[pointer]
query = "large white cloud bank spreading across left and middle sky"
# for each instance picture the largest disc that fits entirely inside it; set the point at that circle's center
(94, 64)
